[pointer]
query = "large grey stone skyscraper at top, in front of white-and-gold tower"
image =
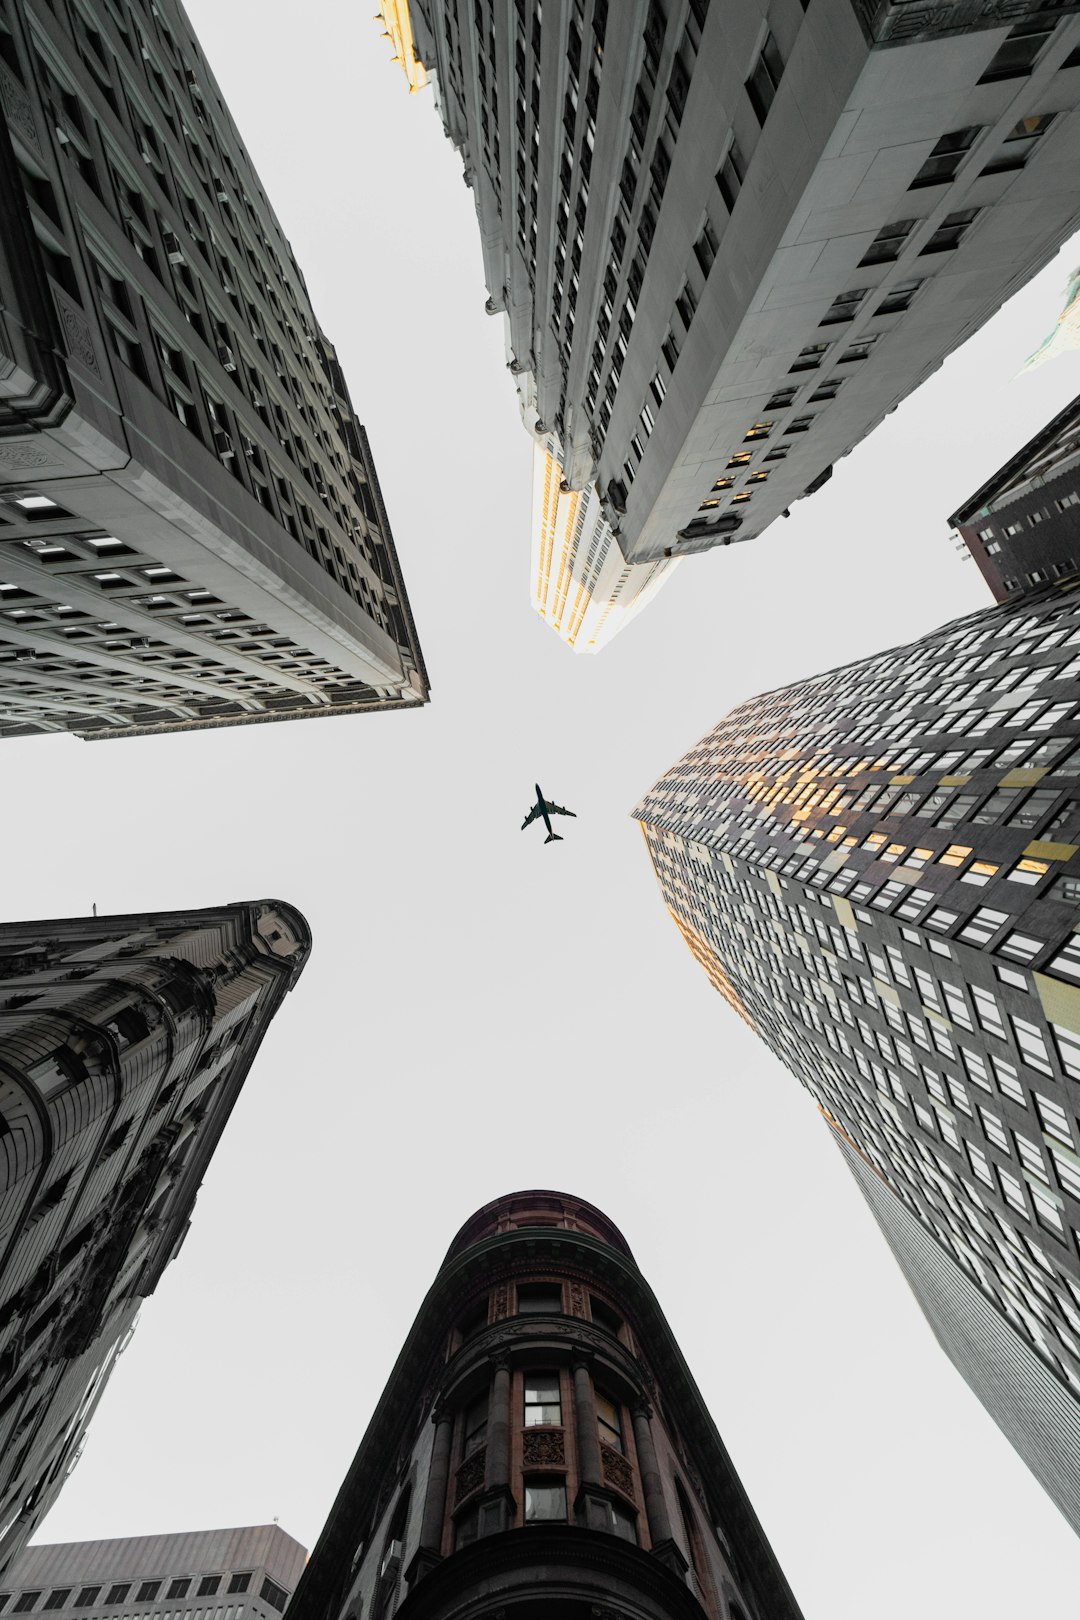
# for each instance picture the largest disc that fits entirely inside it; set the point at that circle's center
(729, 237)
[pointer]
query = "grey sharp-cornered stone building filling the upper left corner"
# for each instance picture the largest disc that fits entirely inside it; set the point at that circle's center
(192, 531)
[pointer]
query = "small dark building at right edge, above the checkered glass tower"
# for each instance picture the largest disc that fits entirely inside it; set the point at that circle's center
(1023, 526)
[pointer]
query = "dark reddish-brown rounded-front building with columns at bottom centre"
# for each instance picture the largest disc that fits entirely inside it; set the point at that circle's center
(542, 1451)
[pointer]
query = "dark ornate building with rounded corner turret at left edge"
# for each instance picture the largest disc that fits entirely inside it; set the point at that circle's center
(124, 1046)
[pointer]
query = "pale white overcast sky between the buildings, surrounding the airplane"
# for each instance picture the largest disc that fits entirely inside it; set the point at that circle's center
(482, 1013)
